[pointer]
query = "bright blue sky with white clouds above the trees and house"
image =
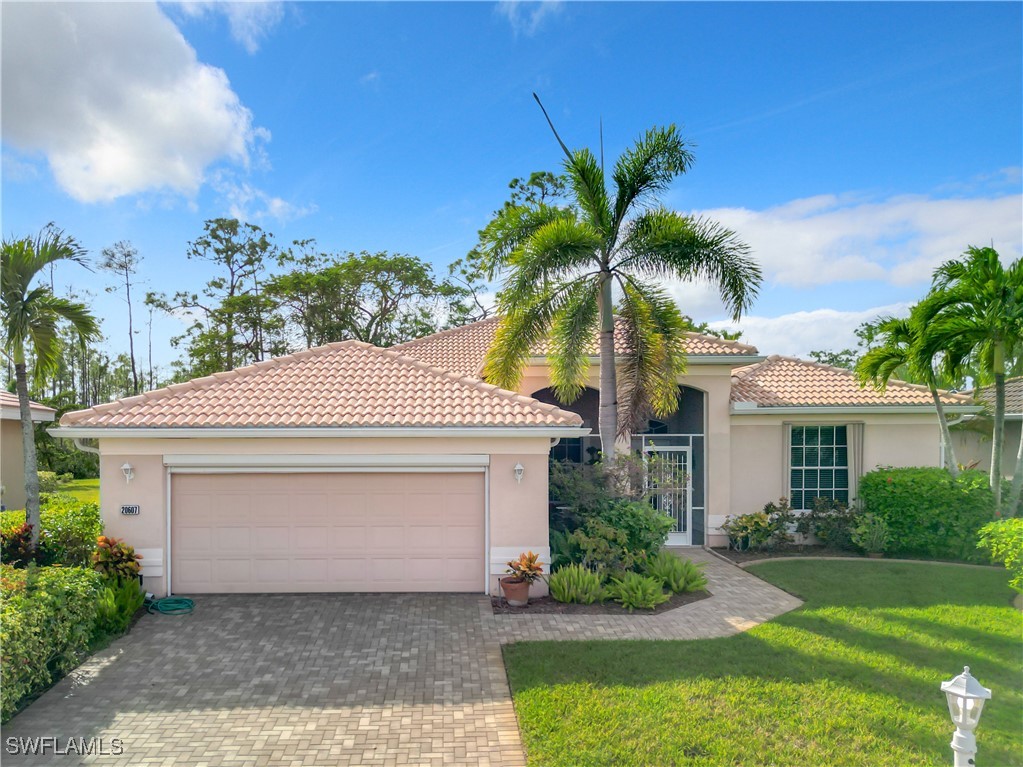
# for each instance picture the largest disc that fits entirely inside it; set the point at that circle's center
(854, 146)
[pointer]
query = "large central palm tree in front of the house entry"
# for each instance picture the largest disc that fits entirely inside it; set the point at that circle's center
(565, 265)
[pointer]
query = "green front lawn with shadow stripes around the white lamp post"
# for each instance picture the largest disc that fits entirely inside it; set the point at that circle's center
(850, 680)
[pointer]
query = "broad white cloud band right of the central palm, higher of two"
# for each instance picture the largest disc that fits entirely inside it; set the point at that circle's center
(831, 239)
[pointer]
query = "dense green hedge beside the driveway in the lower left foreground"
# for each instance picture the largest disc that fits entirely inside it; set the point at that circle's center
(48, 618)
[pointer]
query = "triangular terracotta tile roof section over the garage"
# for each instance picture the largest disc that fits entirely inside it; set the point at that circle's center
(349, 384)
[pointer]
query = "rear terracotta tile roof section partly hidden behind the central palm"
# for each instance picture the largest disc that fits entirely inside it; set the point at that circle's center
(463, 350)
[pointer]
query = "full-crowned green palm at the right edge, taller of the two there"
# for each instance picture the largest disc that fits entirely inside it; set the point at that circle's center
(975, 310)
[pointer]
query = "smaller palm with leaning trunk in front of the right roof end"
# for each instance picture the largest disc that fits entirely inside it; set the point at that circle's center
(901, 347)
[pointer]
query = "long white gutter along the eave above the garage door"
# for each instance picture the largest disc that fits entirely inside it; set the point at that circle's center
(230, 433)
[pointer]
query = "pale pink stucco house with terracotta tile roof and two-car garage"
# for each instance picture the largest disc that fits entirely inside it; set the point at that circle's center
(349, 468)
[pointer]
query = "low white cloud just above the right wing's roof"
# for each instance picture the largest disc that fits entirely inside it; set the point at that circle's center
(798, 334)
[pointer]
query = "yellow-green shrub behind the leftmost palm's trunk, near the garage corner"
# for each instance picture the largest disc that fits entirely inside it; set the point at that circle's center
(68, 533)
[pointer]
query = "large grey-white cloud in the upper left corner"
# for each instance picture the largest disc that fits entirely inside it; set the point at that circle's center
(116, 100)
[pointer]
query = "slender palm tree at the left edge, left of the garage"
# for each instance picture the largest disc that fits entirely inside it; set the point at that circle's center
(31, 317)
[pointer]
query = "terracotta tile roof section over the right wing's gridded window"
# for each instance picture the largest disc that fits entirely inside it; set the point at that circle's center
(786, 382)
